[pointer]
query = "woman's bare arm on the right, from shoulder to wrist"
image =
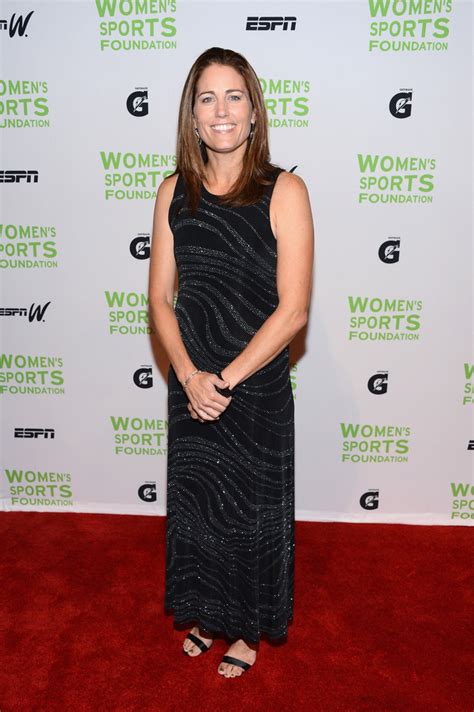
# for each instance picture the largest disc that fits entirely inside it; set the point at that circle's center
(293, 226)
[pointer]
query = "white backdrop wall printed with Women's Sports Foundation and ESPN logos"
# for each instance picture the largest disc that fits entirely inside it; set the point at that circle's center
(370, 103)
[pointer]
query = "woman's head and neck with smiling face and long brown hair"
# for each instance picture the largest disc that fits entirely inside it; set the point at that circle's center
(222, 99)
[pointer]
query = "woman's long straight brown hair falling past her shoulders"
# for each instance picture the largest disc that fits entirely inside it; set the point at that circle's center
(191, 157)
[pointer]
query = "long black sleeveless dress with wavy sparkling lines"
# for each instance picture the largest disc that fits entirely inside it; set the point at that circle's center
(230, 487)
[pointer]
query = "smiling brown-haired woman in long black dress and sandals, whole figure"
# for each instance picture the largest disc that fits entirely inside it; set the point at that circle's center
(239, 232)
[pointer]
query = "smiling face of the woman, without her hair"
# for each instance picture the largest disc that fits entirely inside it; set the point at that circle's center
(222, 108)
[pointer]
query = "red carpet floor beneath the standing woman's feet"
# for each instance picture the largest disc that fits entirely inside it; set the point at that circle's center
(383, 622)
